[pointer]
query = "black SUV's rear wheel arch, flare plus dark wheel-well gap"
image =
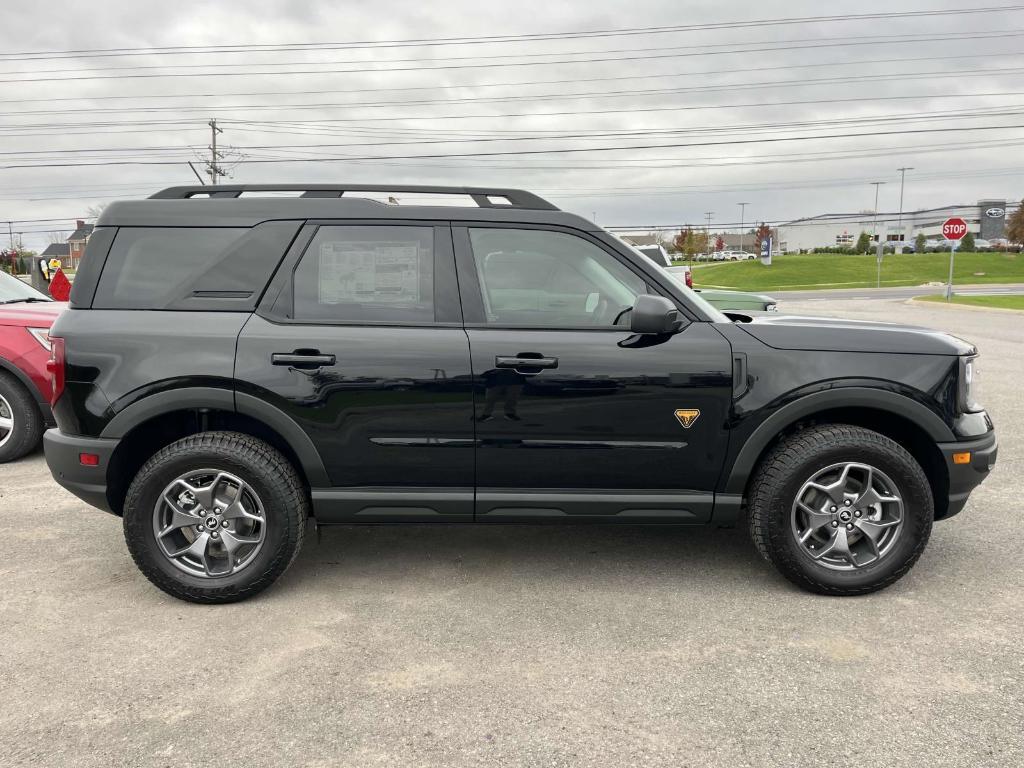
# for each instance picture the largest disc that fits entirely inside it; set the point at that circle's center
(155, 422)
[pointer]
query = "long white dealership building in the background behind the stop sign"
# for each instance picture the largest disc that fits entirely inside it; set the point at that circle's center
(987, 220)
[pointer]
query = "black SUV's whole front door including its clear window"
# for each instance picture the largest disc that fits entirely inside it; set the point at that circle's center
(576, 416)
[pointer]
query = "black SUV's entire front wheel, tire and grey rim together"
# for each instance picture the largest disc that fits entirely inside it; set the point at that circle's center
(841, 510)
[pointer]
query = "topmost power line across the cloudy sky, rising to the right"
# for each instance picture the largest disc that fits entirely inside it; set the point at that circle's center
(417, 42)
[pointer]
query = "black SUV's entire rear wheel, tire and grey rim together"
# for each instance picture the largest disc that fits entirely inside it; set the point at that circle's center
(216, 518)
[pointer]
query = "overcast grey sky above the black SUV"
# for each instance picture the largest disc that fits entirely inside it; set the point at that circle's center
(742, 113)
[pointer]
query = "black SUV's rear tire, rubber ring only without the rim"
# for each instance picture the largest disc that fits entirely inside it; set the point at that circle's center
(270, 475)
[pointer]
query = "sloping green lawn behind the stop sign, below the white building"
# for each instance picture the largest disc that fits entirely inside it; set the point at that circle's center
(797, 272)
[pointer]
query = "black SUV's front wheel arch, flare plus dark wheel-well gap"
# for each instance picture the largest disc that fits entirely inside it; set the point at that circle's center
(908, 422)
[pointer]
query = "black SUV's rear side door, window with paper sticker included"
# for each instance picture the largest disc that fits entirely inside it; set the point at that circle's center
(389, 407)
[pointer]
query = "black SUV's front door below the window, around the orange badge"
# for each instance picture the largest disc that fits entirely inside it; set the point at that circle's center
(604, 421)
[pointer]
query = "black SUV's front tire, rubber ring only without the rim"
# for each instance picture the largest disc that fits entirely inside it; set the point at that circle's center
(780, 478)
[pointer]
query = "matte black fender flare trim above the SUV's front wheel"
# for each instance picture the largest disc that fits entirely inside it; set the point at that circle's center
(877, 400)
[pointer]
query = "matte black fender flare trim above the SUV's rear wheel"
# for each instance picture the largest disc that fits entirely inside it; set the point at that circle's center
(225, 400)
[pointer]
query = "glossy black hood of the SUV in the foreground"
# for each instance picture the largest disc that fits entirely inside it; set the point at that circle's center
(835, 335)
